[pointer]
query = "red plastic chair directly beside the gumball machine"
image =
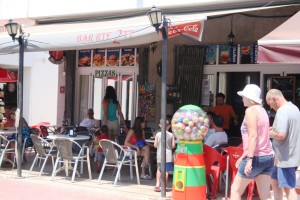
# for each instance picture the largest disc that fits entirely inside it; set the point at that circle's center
(215, 163)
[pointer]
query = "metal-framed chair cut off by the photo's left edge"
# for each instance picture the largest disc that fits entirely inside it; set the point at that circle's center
(5, 148)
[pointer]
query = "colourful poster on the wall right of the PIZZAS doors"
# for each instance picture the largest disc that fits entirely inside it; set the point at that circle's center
(147, 101)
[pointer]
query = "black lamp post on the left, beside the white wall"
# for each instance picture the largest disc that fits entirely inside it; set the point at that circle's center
(12, 29)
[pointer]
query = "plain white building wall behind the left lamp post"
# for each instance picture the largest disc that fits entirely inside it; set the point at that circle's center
(41, 80)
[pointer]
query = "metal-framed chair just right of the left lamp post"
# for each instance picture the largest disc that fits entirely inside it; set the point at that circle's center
(42, 153)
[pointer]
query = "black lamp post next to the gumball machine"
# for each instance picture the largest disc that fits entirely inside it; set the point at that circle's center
(157, 19)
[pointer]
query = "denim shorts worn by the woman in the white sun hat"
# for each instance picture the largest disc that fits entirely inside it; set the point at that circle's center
(260, 165)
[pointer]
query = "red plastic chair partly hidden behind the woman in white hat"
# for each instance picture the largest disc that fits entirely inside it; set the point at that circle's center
(234, 154)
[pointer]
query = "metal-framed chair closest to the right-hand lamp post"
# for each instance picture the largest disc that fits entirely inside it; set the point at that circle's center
(117, 156)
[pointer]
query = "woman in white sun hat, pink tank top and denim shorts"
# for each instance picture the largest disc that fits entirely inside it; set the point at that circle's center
(257, 161)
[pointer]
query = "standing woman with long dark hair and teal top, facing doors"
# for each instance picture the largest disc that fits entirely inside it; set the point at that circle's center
(111, 107)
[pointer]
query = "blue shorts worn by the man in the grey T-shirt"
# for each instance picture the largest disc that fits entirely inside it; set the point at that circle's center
(286, 177)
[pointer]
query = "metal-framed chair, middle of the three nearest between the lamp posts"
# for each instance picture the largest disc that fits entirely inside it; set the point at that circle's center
(66, 156)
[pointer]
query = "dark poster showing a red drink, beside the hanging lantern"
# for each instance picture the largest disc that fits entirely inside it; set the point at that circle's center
(227, 54)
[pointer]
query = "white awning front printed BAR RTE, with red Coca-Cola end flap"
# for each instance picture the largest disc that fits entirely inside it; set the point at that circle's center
(104, 34)
